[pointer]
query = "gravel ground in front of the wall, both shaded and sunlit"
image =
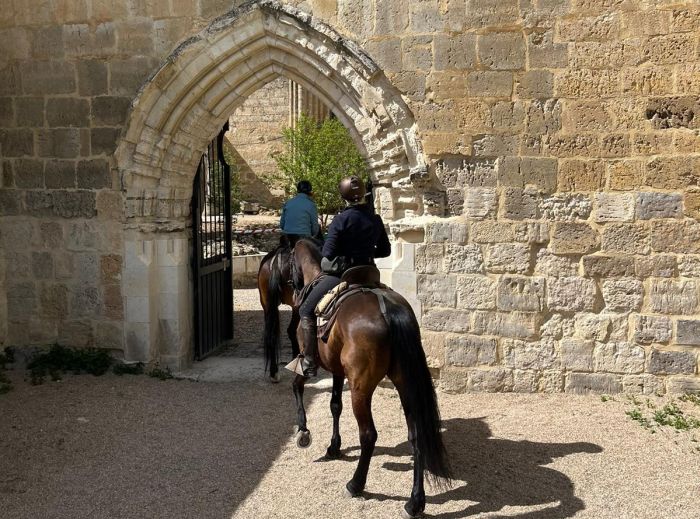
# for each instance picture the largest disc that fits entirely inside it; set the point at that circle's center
(138, 447)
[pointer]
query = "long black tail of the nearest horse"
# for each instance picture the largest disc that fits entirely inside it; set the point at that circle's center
(419, 393)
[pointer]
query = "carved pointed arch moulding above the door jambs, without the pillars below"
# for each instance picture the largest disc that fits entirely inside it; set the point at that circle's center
(187, 100)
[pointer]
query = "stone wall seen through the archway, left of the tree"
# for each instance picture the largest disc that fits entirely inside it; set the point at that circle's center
(255, 134)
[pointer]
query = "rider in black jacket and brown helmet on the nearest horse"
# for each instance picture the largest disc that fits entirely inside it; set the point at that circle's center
(355, 237)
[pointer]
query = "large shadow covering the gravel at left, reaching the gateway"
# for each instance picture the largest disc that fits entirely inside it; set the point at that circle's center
(135, 446)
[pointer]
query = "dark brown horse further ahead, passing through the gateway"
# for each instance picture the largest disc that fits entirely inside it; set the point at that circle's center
(274, 288)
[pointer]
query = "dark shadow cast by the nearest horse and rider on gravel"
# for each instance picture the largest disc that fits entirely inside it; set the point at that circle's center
(496, 473)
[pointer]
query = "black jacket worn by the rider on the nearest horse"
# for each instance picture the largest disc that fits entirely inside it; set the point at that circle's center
(358, 234)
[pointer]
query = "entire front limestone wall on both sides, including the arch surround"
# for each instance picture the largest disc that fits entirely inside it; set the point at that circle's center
(538, 162)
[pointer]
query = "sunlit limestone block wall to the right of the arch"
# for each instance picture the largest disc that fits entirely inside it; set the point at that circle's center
(565, 136)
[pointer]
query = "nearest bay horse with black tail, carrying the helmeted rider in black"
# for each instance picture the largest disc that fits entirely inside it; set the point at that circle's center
(364, 345)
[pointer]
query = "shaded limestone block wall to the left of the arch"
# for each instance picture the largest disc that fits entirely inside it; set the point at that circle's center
(68, 74)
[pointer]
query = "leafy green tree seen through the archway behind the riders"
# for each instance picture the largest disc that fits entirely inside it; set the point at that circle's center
(322, 153)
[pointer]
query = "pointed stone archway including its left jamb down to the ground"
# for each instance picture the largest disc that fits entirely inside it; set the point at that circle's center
(184, 105)
